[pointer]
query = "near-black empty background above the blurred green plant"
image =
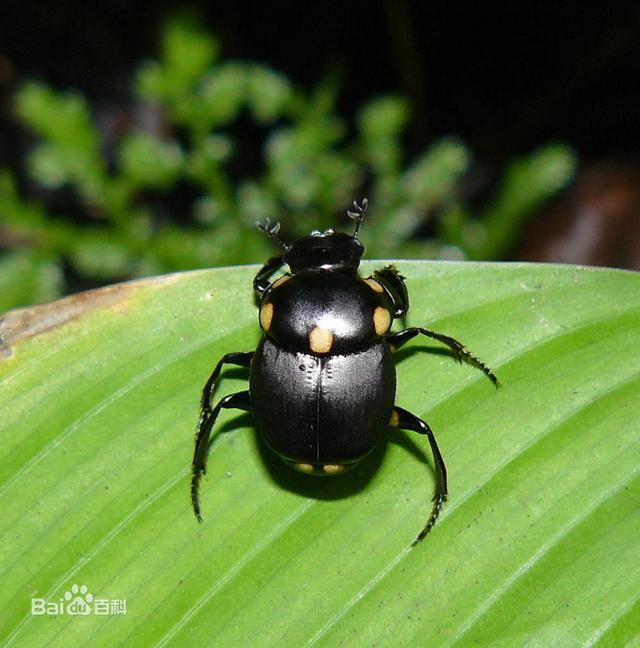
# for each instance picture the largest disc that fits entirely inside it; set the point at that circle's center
(505, 79)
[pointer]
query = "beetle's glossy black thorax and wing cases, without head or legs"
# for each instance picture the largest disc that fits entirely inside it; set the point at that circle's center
(329, 406)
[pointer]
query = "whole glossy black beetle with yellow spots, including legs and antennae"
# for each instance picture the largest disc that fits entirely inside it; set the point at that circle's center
(322, 382)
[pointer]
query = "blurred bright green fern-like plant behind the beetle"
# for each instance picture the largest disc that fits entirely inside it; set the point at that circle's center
(182, 187)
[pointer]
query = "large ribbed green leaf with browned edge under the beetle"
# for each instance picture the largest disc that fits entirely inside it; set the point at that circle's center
(537, 543)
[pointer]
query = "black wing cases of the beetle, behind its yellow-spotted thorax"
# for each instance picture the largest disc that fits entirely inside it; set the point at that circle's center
(322, 410)
